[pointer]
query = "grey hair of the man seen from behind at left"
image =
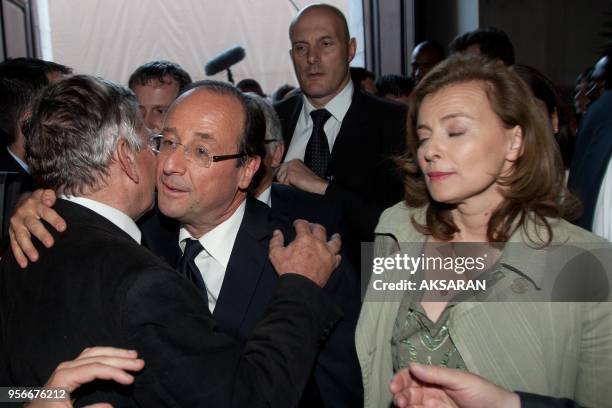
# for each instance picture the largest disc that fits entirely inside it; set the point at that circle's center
(74, 130)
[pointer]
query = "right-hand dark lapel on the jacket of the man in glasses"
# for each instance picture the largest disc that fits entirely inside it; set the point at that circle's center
(245, 268)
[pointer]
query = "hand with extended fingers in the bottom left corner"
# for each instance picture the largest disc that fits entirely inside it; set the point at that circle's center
(96, 363)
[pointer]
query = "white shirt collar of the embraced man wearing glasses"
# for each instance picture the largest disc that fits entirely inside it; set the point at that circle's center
(219, 241)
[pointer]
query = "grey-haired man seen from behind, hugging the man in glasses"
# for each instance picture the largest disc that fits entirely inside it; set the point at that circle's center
(97, 285)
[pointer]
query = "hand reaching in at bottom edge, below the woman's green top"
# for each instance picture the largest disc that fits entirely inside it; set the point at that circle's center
(421, 386)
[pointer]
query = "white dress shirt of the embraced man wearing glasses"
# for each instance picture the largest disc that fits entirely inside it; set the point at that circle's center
(218, 244)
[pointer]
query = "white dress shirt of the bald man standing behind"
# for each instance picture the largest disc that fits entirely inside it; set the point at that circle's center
(338, 107)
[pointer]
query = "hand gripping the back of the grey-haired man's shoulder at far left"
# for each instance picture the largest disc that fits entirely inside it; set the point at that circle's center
(25, 222)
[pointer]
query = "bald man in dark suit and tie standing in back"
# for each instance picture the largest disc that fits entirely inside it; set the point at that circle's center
(339, 139)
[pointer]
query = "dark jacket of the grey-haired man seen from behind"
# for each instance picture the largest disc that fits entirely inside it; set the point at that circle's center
(97, 286)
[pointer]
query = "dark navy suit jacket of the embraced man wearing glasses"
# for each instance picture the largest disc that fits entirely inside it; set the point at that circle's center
(250, 280)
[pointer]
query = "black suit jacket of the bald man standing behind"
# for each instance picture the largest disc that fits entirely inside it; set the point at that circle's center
(364, 179)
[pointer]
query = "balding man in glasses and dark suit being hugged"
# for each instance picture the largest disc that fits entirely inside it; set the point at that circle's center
(212, 207)
